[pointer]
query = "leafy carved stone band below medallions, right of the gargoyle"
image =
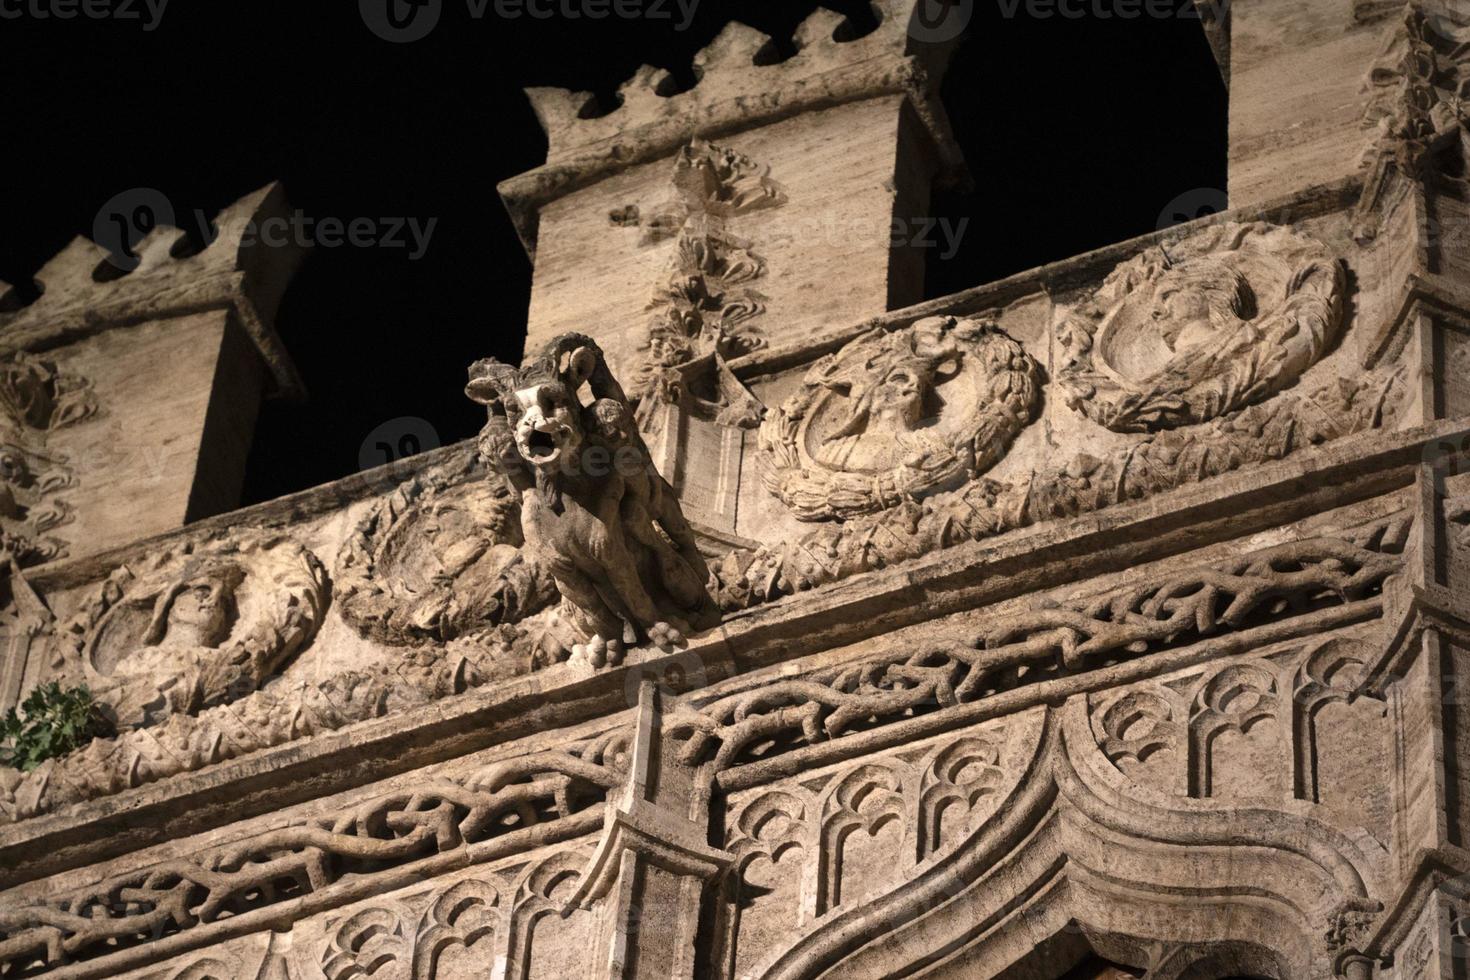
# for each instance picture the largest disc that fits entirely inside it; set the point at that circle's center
(1086, 484)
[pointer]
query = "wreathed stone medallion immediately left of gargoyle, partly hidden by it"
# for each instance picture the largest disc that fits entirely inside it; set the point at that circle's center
(440, 558)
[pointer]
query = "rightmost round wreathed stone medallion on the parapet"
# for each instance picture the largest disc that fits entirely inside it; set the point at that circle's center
(1197, 330)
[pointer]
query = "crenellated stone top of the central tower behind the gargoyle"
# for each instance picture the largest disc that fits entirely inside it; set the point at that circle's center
(736, 93)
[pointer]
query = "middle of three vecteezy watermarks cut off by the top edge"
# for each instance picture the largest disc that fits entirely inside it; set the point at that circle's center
(405, 21)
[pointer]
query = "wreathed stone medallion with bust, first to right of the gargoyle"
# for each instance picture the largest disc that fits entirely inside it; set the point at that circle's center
(899, 417)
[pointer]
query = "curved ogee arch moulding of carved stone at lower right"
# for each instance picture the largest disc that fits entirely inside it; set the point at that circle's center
(1074, 844)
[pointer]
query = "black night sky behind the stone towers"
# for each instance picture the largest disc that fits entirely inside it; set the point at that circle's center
(1078, 131)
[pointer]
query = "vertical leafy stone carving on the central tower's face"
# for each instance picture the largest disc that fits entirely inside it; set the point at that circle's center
(705, 311)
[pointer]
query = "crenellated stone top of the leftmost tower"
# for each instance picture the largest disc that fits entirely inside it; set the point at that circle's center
(240, 271)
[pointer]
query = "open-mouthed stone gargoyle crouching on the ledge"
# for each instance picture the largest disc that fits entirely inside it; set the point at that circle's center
(595, 511)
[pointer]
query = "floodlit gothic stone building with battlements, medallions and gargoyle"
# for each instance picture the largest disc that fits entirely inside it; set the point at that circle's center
(1109, 621)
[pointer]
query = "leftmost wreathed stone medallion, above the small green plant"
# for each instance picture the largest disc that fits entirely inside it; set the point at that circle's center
(198, 627)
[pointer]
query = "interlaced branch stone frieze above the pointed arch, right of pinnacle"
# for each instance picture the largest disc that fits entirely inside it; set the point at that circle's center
(1044, 643)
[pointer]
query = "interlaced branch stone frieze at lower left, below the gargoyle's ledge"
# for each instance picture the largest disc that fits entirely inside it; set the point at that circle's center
(434, 816)
